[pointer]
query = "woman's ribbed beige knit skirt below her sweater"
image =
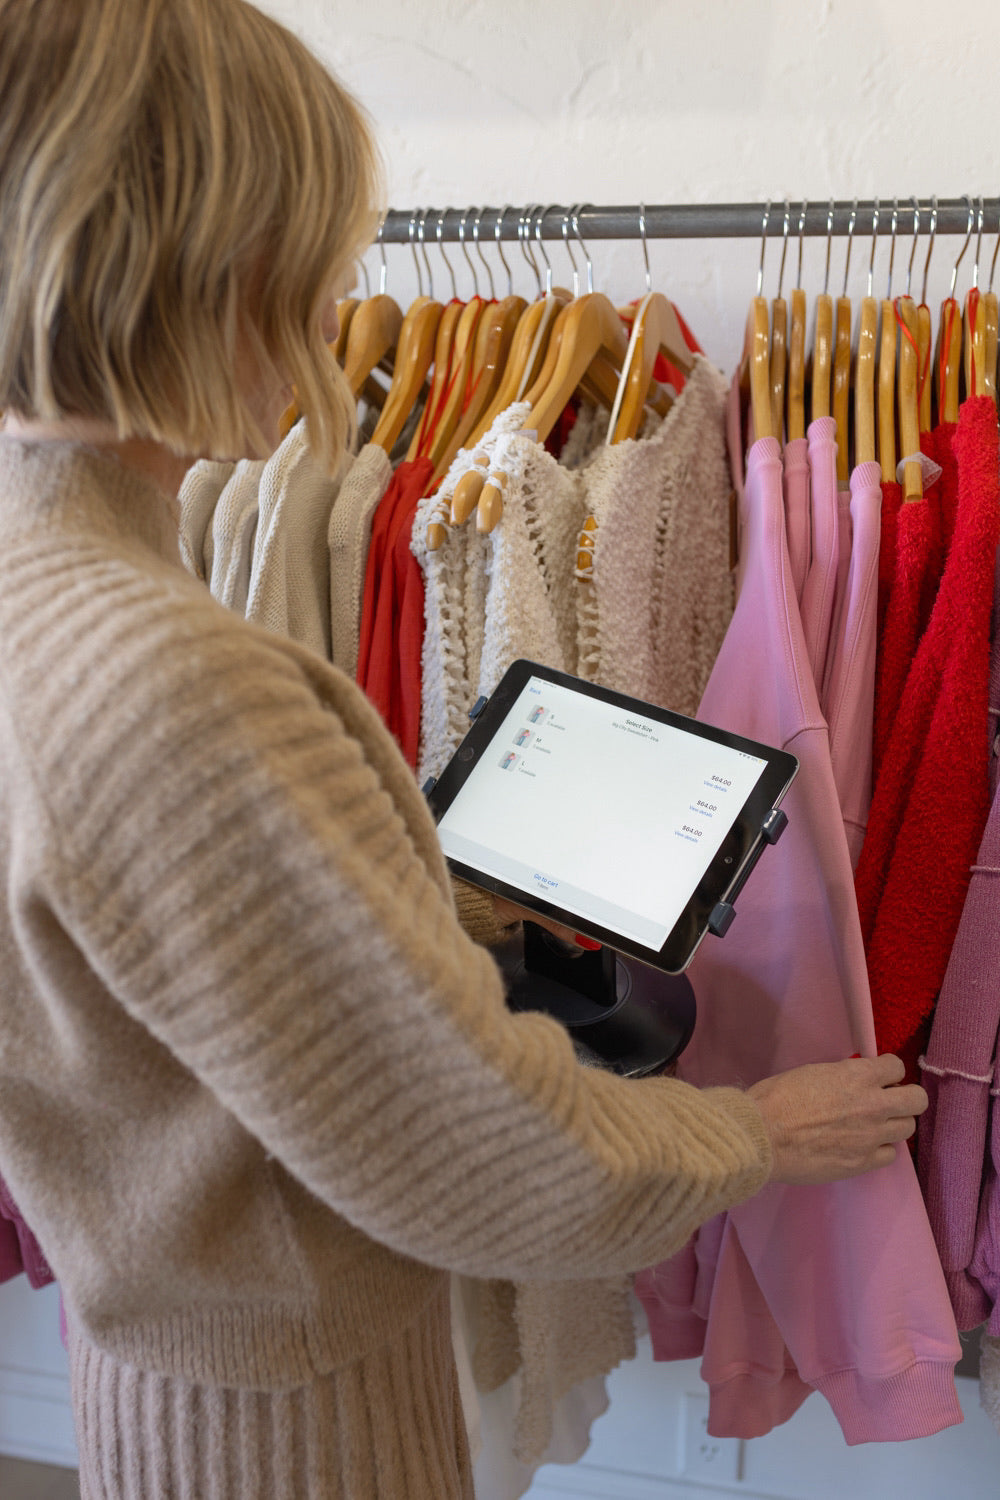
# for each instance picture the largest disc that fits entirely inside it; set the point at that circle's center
(388, 1429)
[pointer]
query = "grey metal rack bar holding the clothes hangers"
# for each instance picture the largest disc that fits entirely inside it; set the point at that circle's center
(717, 221)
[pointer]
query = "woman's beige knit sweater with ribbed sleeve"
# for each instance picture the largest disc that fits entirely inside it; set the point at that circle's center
(259, 1090)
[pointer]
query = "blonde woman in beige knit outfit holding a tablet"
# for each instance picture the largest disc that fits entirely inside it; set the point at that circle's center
(259, 1087)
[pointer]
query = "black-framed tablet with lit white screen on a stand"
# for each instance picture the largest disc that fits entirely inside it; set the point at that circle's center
(630, 824)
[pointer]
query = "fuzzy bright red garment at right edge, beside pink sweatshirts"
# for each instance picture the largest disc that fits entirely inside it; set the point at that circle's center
(933, 797)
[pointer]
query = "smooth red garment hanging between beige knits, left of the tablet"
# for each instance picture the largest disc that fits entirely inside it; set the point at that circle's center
(392, 610)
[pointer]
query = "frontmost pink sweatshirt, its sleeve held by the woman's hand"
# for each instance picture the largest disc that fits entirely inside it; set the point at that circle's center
(836, 1288)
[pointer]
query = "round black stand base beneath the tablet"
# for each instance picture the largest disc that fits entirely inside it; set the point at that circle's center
(621, 1015)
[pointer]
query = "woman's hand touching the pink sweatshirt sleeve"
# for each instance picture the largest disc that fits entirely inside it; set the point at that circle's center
(837, 1120)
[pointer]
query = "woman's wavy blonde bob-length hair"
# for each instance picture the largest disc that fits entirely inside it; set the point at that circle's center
(182, 187)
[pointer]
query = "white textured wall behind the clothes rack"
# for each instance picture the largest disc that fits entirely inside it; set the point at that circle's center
(674, 101)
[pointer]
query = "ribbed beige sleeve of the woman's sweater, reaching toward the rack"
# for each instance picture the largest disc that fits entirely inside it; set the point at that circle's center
(248, 868)
